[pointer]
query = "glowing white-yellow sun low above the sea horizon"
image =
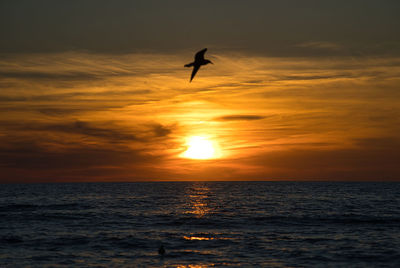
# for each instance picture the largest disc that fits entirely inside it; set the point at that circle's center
(200, 148)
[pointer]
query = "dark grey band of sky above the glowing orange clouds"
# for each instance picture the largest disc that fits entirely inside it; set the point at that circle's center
(273, 28)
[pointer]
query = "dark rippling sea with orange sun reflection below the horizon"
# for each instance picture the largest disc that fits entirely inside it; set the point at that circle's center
(200, 224)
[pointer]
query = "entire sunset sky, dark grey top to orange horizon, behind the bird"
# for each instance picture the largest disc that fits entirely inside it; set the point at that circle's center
(299, 90)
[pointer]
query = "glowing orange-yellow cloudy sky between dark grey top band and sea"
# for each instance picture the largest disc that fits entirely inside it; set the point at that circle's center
(98, 117)
